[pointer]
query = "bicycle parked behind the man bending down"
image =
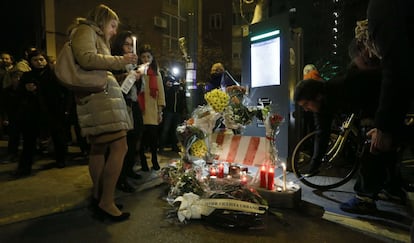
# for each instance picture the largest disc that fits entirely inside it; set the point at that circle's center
(341, 160)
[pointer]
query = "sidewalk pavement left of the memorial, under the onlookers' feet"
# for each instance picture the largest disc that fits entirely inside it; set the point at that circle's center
(51, 190)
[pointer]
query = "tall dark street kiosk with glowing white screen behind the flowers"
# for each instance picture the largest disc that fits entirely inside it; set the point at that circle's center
(272, 65)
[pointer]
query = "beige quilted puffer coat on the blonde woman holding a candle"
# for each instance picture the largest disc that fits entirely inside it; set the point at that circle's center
(106, 111)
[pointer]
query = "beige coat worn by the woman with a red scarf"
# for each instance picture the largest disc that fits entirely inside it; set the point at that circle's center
(150, 115)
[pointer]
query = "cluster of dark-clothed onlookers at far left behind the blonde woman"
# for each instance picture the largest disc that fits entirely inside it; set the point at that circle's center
(34, 107)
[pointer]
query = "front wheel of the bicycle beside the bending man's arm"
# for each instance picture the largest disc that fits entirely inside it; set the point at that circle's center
(332, 174)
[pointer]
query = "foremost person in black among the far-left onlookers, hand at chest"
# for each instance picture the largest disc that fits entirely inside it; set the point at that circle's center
(42, 107)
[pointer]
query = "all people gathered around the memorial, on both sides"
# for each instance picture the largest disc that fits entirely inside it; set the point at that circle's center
(120, 125)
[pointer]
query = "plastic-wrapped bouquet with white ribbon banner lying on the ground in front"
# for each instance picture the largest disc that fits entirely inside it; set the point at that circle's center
(223, 202)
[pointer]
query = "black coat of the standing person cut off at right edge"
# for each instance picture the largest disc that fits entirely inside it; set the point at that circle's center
(390, 25)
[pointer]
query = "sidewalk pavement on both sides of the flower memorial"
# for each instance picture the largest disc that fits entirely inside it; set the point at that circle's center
(51, 190)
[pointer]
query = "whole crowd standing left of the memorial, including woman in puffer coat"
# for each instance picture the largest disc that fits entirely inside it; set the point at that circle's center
(37, 111)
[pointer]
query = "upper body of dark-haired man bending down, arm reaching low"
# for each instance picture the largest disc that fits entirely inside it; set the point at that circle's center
(355, 92)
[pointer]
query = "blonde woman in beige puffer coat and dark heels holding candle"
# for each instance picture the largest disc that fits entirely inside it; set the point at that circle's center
(103, 116)
